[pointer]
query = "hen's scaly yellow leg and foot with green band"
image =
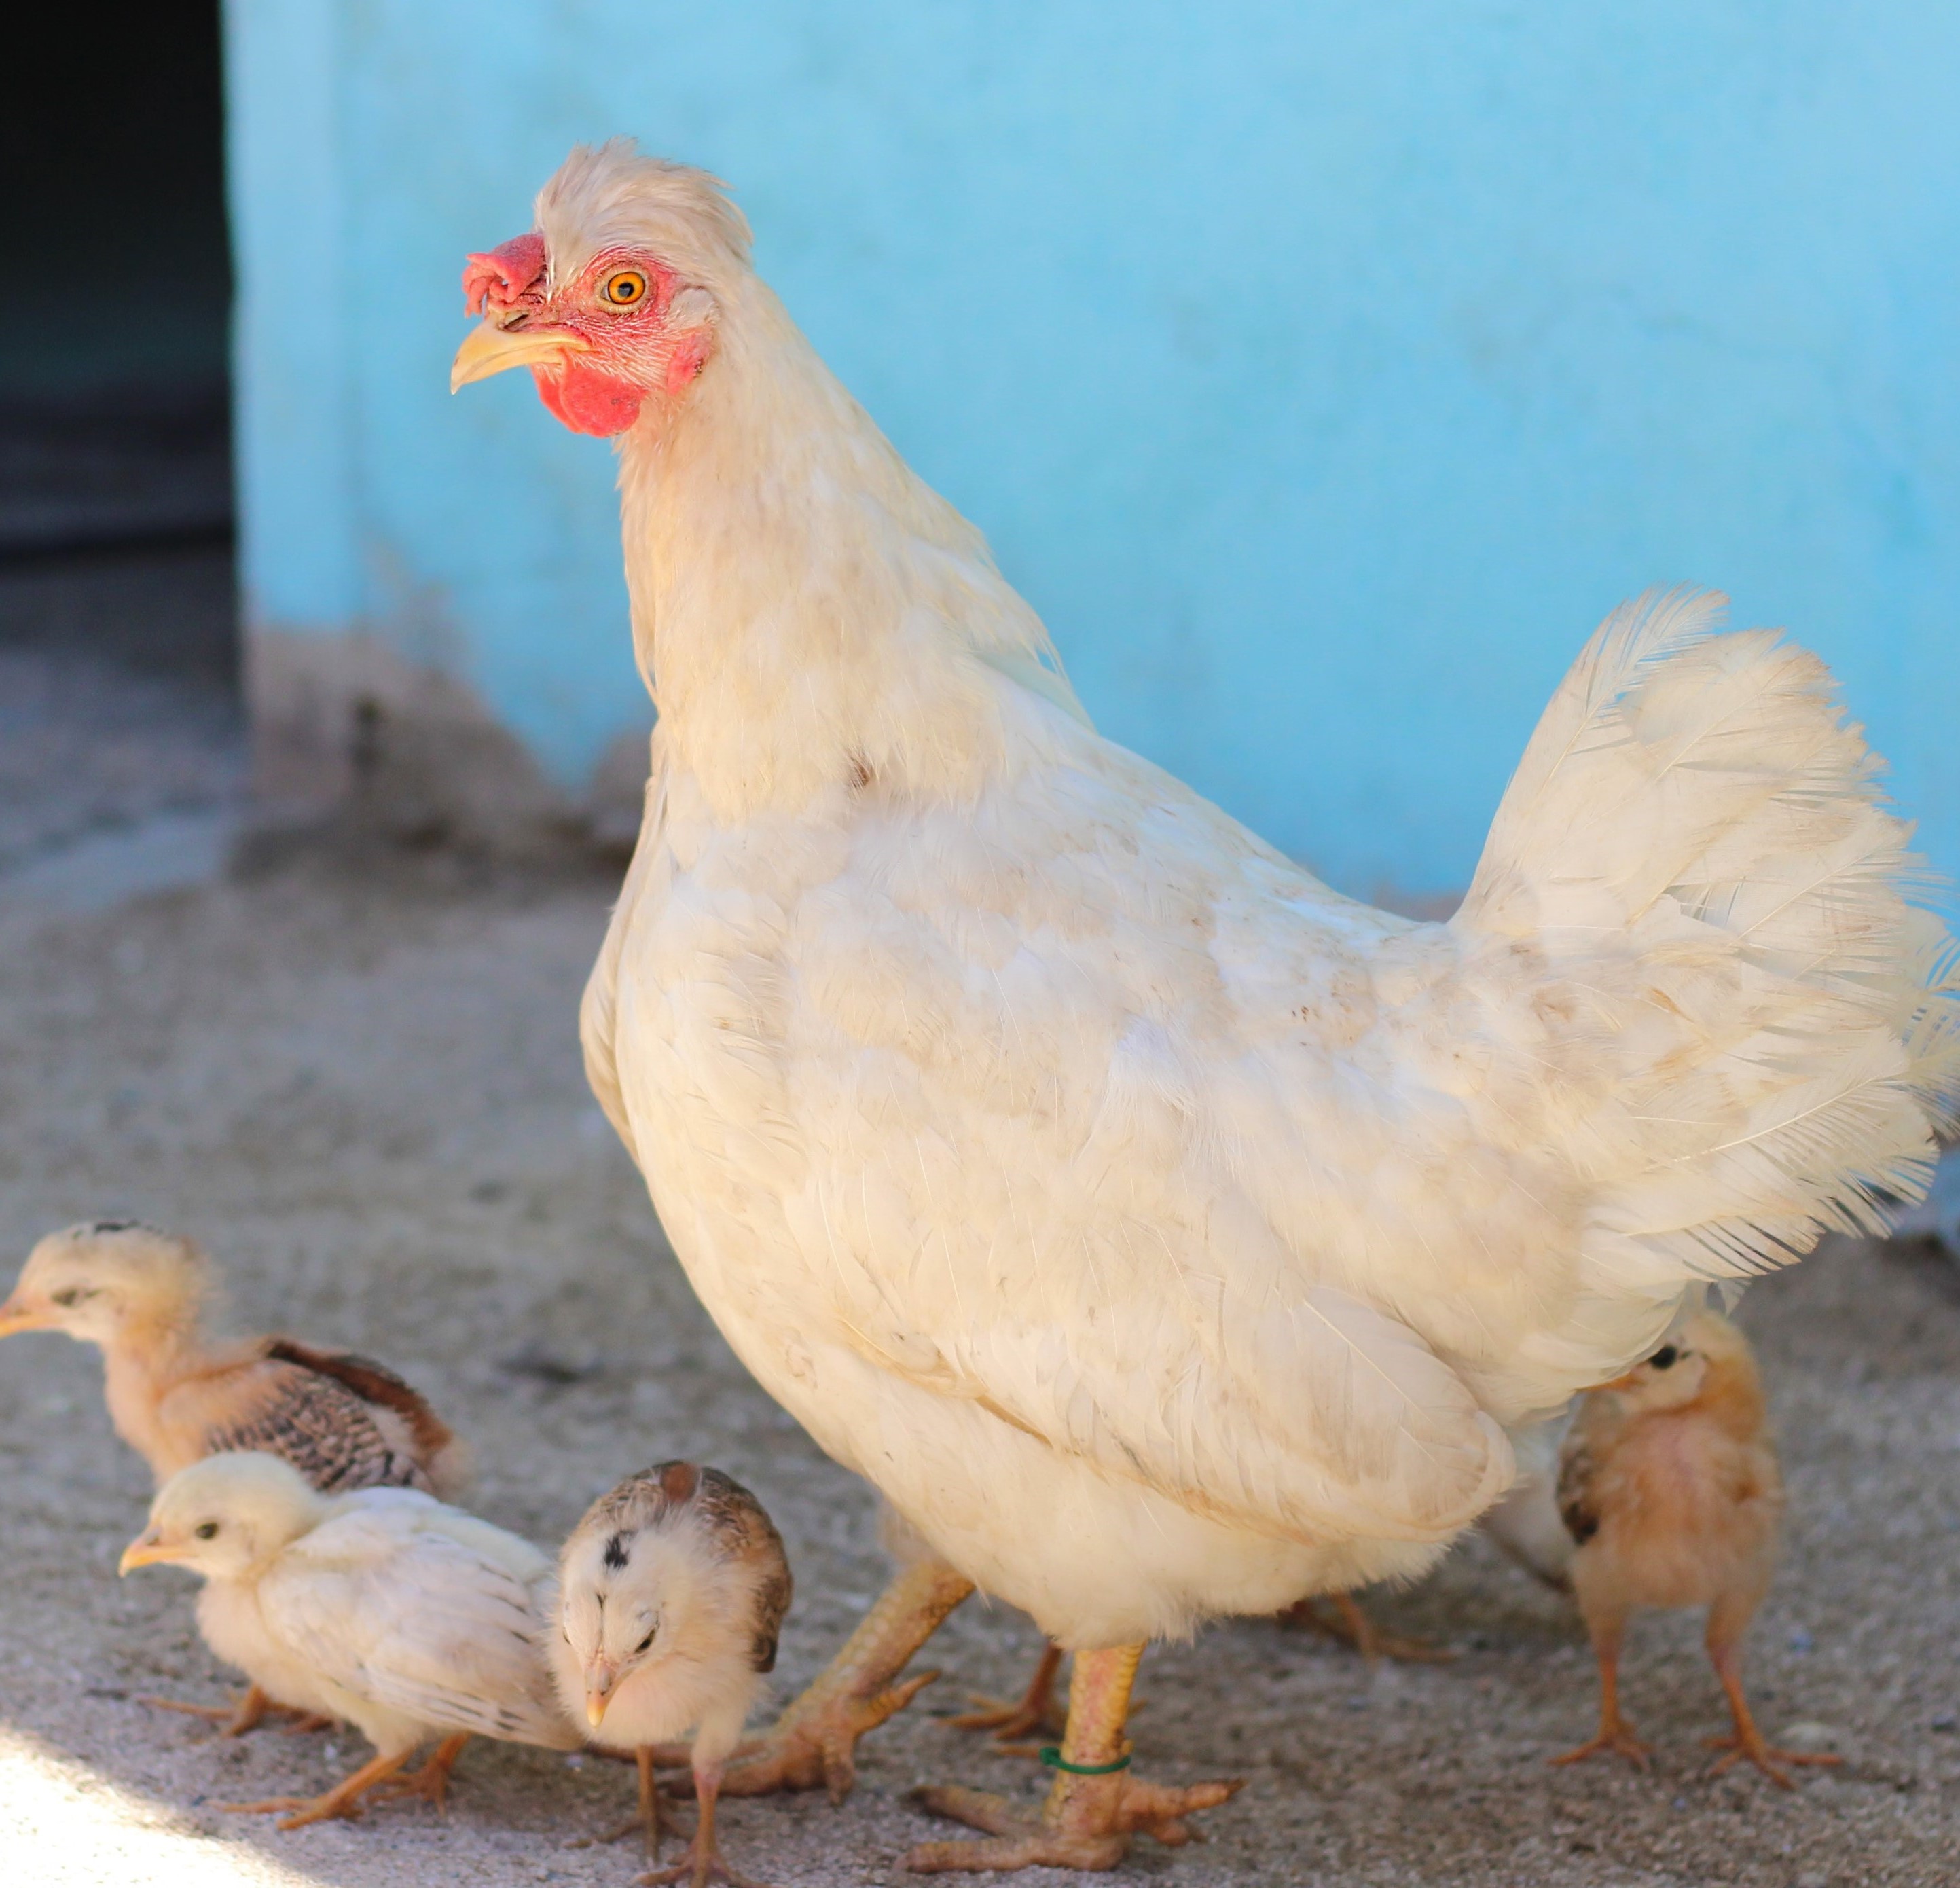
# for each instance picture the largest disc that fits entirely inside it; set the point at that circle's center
(1095, 1807)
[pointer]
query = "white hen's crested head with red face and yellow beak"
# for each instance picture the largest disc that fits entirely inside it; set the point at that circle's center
(614, 299)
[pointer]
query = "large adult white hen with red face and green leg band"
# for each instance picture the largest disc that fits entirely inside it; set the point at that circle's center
(1165, 1234)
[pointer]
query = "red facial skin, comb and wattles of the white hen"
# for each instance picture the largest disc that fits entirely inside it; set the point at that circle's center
(630, 352)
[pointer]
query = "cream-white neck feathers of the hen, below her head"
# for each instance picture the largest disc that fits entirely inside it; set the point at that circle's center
(808, 615)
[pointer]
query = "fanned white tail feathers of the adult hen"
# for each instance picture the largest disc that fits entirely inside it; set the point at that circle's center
(1698, 858)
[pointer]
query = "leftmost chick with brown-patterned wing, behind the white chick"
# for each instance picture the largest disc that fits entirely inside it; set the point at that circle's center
(177, 1395)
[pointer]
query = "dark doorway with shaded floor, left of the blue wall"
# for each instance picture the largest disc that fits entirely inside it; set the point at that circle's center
(119, 615)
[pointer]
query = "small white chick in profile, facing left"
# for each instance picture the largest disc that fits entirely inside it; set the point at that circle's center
(389, 1609)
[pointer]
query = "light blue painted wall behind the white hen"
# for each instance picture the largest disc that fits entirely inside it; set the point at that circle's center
(1322, 370)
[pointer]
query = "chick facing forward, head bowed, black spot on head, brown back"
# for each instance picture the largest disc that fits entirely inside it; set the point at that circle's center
(671, 1597)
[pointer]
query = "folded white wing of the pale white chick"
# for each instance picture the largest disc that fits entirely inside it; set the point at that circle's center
(426, 1611)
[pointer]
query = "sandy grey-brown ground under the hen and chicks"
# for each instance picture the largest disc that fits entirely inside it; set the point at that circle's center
(358, 1081)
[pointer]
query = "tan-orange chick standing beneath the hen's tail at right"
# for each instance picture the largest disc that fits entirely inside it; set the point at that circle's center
(1671, 1491)
